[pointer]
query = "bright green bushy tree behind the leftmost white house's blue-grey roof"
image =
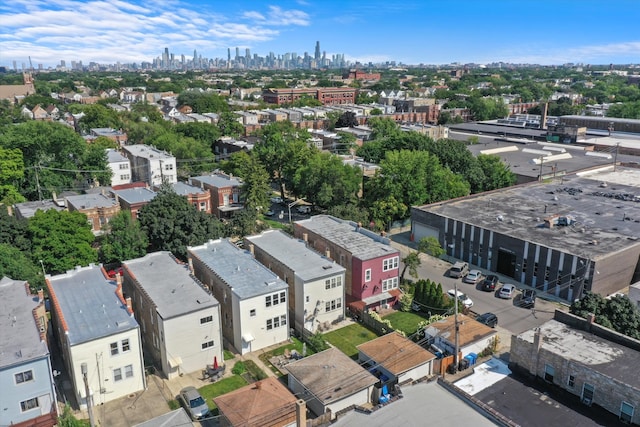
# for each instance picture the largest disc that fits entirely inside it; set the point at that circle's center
(62, 240)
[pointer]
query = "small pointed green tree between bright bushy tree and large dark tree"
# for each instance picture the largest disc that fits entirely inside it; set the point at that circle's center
(124, 239)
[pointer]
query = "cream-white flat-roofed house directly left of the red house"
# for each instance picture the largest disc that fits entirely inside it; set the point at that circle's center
(316, 291)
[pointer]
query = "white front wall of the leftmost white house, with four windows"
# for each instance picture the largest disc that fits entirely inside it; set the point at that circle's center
(100, 365)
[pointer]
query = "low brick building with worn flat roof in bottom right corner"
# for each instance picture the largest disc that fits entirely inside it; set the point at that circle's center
(589, 361)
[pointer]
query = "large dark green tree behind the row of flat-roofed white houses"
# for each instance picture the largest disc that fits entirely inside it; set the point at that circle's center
(171, 223)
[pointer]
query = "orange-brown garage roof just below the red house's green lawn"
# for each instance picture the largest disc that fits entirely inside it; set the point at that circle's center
(396, 353)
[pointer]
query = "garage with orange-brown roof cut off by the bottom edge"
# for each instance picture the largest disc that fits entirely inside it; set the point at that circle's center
(265, 403)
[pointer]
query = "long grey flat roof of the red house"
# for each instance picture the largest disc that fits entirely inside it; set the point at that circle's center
(358, 241)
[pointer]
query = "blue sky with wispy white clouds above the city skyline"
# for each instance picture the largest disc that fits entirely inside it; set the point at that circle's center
(407, 31)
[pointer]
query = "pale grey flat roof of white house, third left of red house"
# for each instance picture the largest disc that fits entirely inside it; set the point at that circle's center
(170, 284)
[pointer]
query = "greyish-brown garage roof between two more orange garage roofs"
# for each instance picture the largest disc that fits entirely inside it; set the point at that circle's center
(330, 375)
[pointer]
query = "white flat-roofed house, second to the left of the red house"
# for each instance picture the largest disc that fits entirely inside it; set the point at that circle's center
(253, 300)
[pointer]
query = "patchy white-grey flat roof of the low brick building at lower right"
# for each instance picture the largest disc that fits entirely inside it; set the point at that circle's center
(601, 355)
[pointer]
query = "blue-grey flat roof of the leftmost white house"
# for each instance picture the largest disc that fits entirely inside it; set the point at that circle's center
(87, 302)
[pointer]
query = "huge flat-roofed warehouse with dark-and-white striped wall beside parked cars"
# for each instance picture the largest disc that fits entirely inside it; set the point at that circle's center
(562, 236)
